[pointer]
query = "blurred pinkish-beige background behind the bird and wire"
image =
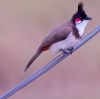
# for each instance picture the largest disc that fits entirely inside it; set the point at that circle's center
(23, 24)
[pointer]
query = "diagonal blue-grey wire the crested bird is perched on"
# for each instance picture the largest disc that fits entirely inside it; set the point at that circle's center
(50, 65)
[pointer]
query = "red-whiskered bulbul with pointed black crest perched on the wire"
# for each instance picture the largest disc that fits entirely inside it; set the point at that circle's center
(64, 36)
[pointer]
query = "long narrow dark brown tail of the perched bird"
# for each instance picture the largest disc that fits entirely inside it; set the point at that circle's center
(38, 52)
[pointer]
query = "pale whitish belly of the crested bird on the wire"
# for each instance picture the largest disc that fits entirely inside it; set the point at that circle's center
(69, 42)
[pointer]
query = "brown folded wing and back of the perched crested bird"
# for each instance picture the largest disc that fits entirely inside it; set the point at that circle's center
(55, 35)
